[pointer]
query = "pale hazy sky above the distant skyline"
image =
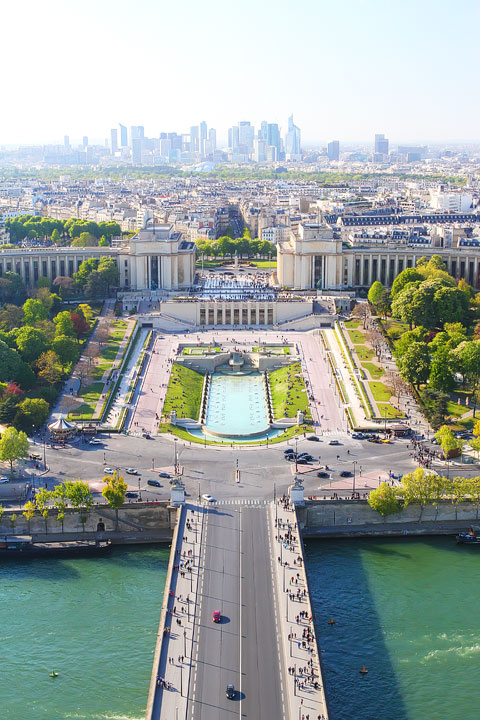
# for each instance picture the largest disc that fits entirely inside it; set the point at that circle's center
(345, 68)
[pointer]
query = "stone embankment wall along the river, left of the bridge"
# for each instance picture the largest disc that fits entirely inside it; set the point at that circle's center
(137, 523)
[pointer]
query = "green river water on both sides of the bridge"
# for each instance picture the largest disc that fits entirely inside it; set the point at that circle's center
(405, 608)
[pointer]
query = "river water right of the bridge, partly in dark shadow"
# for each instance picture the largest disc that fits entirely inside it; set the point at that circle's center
(406, 609)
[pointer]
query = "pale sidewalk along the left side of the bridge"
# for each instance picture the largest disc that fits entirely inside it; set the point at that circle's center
(172, 674)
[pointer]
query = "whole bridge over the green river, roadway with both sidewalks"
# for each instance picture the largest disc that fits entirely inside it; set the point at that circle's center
(229, 557)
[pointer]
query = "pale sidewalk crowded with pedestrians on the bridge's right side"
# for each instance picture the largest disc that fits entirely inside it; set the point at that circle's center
(304, 681)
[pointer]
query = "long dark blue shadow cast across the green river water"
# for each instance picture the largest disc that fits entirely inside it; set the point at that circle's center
(339, 589)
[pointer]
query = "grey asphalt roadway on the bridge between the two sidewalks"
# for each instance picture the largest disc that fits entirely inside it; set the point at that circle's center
(243, 649)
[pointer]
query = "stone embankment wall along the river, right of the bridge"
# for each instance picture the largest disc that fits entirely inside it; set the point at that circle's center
(340, 518)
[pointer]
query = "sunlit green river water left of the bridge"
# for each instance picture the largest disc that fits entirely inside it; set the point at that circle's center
(94, 621)
